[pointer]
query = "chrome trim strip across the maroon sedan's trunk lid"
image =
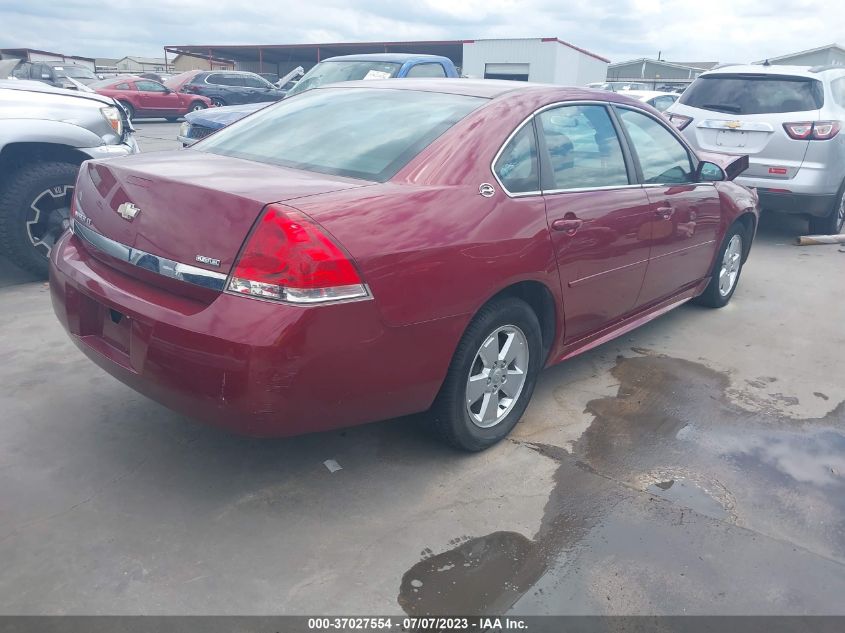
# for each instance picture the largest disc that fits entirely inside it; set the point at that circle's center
(148, 261)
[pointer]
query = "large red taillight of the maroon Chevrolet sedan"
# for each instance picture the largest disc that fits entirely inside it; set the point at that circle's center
(289, 257)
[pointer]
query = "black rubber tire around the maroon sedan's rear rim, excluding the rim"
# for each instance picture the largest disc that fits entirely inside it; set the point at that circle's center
(452, 420)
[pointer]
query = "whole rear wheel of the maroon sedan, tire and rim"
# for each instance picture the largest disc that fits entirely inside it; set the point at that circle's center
(491, 377)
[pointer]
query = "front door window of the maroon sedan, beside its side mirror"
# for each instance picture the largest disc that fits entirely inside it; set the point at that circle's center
(662, 157)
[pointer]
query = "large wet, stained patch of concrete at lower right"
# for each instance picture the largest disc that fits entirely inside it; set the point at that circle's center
(659, 508)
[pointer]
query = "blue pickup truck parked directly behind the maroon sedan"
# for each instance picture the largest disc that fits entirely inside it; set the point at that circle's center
(331, 70)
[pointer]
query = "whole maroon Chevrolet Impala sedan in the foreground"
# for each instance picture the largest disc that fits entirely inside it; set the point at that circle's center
(380, 248)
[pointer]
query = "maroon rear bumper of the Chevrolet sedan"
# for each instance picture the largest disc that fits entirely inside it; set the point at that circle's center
(254, 367)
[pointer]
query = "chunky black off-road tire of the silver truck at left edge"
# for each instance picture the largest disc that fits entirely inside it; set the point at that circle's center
(27, 234)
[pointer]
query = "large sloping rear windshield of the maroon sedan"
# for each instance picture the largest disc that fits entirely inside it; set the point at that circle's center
(357, 132)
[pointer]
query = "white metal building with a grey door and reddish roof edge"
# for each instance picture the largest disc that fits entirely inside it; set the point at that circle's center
(544, 60)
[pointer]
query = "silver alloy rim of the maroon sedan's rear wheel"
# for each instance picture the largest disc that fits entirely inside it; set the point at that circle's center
(497, 376)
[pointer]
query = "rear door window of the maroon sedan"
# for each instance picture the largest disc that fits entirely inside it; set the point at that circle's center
(583, 148)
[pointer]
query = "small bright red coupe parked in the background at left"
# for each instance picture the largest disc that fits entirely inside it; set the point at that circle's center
(147, 98)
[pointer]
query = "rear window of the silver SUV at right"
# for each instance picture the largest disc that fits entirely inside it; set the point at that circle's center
(754, 94)
